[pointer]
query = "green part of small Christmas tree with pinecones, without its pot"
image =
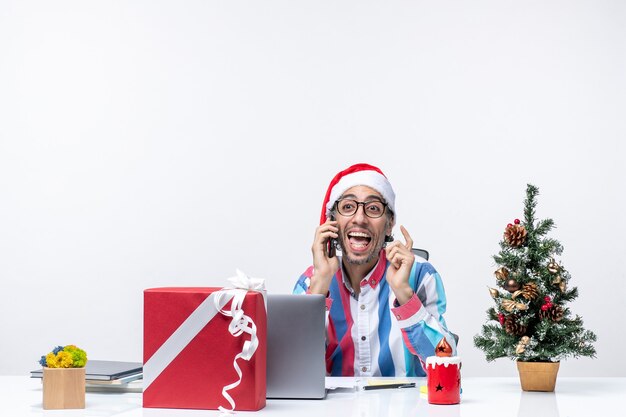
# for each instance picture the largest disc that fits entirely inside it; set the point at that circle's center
(530, 321)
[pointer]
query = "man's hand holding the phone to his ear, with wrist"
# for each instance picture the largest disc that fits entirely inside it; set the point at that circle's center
(325, 262)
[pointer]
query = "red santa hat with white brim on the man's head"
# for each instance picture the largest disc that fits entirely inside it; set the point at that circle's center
(359, 174)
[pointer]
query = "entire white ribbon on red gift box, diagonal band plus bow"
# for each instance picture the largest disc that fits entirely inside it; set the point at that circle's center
(199, 318)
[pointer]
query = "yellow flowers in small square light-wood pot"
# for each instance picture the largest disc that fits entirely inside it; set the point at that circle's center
(64, 378)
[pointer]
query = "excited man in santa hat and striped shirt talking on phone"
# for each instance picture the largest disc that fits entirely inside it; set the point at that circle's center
(385, 305)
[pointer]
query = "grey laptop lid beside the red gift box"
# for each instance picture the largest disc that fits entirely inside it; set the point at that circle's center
(296, 346)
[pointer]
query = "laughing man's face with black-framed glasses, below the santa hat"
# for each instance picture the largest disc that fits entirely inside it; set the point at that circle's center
(361, 237)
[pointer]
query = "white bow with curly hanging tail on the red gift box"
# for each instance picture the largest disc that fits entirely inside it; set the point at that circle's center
(239, 324)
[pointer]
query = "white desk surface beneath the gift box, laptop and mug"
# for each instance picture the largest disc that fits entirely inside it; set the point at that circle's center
(482, 397)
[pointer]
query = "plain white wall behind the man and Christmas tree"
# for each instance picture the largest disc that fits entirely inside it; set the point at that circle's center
(166, 143)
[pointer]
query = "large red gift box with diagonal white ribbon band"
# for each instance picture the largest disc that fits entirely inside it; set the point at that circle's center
(189, 351)
